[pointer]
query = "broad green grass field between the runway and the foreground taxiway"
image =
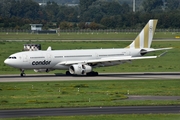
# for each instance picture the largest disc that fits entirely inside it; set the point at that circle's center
(18, 95)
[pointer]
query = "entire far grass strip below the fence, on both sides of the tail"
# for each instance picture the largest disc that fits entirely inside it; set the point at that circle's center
(83, 36)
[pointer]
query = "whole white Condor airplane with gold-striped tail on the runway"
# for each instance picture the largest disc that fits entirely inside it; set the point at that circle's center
(82, 62)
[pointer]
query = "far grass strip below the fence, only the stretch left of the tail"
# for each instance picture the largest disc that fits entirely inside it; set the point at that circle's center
(66, 36)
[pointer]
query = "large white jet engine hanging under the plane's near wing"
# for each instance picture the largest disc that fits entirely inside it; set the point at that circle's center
(80, 69)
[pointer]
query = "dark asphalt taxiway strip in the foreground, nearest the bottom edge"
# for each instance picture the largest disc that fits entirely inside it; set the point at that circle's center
(88, 111)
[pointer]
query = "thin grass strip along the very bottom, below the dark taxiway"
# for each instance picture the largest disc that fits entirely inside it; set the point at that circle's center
(107, 117)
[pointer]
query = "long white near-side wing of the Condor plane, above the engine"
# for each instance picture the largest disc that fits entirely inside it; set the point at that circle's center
(107, 59)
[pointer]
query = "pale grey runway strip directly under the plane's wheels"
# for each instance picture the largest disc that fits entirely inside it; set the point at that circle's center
(102, 76)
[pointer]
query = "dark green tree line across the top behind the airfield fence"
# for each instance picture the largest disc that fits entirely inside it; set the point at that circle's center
(89, 14)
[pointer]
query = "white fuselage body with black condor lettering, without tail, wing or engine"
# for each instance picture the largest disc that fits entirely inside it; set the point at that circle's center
(51, 59)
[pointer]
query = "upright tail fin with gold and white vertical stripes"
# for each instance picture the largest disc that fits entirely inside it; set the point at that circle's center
(144, 39)
